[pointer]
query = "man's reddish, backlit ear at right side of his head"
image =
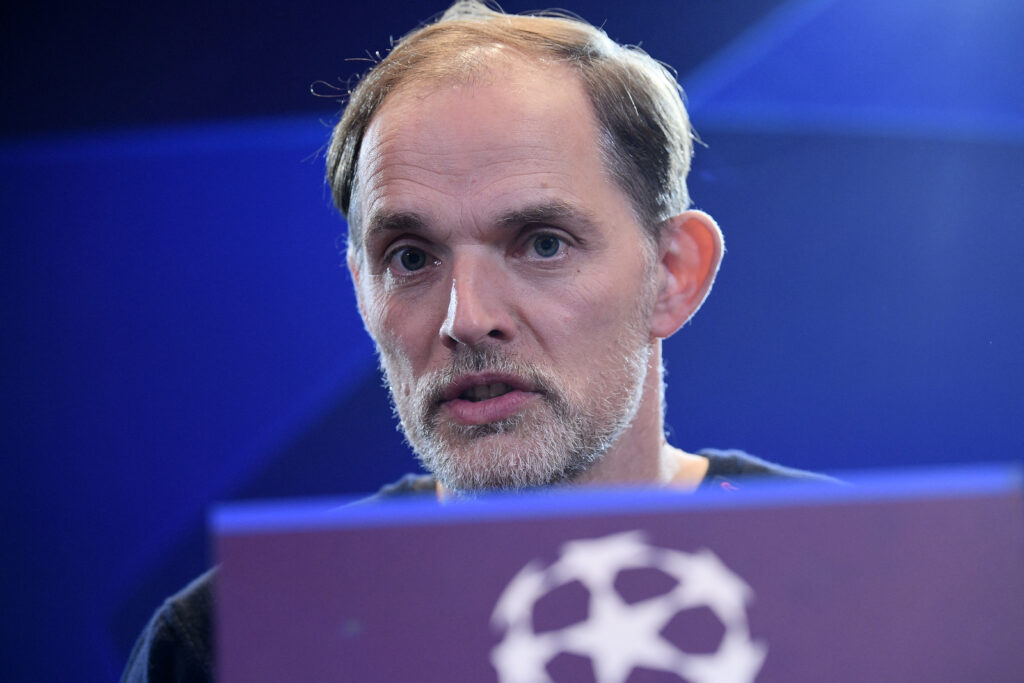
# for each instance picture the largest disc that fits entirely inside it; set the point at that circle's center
(690, 254)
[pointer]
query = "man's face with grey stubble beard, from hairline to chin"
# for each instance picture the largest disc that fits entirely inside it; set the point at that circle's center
(504, 278)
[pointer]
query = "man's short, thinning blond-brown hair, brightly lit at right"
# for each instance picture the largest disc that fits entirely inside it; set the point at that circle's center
(647, 138)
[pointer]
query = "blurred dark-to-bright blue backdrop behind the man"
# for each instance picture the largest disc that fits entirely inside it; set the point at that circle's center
(179, 330)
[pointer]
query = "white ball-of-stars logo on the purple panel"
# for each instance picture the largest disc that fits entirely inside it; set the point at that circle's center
(619, 634)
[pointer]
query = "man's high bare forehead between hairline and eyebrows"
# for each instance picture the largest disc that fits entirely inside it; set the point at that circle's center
(520, 134)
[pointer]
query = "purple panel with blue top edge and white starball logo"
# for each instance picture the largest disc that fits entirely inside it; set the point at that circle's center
(907, 577)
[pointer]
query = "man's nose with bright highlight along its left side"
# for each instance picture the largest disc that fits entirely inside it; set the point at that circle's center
(479, 305)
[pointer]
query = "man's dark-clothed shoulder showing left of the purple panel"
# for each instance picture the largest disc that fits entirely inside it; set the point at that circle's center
(177, 645)
